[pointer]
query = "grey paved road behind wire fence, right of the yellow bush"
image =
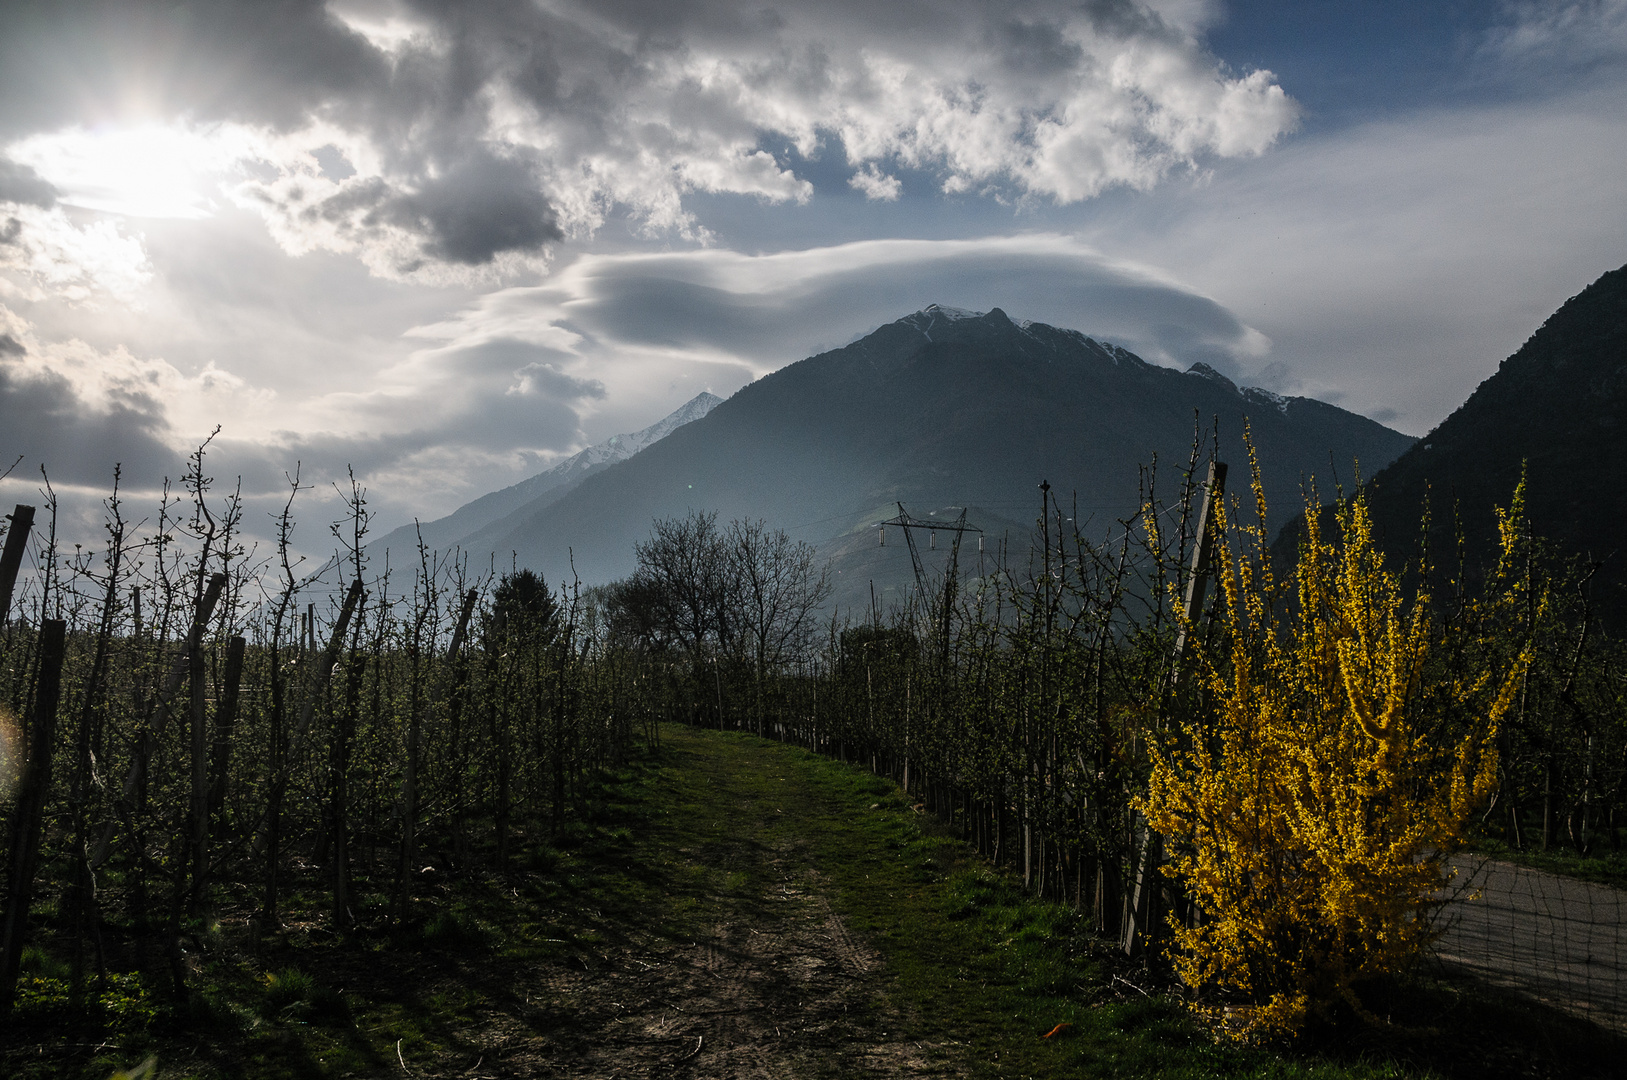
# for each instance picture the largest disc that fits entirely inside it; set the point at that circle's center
(1558, 939)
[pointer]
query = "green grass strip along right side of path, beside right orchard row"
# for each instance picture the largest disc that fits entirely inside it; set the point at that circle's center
(982, 972)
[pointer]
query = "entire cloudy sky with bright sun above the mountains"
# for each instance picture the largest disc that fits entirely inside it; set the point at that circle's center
(442, 245)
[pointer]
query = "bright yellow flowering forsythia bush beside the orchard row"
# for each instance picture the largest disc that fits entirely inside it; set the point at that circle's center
(1312, 798)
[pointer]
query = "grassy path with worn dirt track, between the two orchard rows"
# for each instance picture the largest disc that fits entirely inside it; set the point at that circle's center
(787, 917)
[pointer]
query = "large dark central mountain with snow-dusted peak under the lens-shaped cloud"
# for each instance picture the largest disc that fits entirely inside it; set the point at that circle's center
(941, 409)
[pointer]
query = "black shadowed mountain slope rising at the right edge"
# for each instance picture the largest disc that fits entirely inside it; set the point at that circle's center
(1559, 407)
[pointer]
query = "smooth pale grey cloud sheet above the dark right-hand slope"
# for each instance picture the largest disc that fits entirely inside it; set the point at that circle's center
(1394, 264)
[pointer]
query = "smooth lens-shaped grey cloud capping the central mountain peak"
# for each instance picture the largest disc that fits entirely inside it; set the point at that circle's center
(656, 329)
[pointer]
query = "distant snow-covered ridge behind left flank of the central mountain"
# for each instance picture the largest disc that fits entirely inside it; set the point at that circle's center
(461, 526)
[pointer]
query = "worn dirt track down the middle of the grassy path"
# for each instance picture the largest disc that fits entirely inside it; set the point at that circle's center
(746, 975)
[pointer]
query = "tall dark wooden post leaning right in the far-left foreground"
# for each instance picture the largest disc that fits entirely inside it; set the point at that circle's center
(28, 819)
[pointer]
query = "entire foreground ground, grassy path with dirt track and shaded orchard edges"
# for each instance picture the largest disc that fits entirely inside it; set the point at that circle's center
(735, 910)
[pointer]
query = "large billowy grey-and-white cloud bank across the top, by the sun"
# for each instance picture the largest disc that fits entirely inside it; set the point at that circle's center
(473, 137)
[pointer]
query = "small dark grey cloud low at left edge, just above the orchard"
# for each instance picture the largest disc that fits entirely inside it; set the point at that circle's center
(43, 417)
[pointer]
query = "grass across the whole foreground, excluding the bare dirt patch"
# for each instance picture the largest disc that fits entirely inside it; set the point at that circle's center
(972, 972)
